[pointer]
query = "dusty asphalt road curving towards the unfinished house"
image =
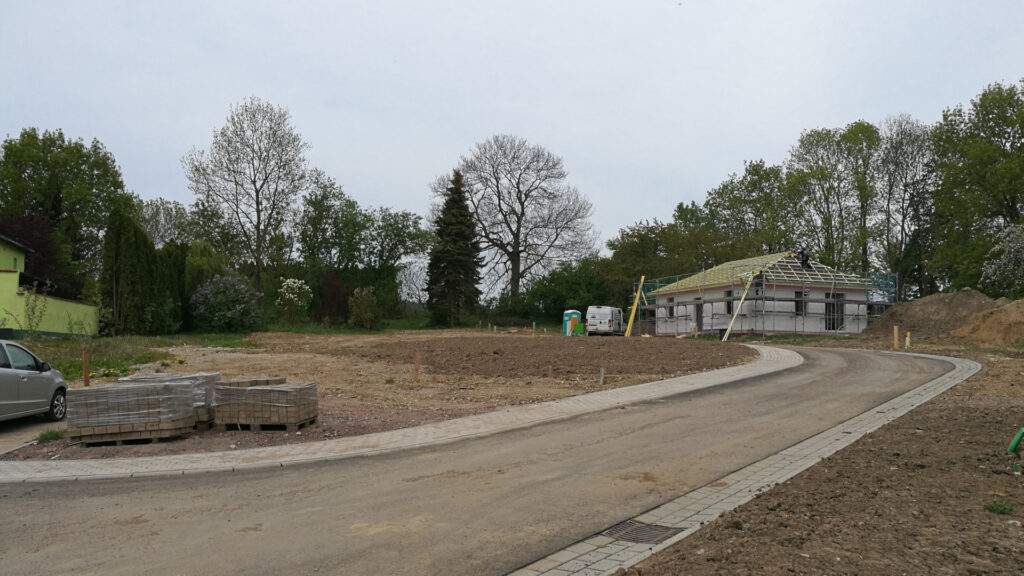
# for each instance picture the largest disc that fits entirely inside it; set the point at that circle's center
(481, 507)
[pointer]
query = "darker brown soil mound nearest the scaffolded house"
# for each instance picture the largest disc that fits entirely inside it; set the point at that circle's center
(931, 316)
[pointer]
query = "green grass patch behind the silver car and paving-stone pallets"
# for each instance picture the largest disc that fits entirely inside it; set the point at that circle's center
(116, 356)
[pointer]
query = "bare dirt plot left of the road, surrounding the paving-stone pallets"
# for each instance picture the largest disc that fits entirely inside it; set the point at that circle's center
(371, 384)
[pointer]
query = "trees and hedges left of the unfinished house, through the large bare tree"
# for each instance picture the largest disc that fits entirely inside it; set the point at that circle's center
(263, 219)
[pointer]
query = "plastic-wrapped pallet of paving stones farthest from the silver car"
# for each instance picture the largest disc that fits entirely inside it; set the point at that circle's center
(291, 404)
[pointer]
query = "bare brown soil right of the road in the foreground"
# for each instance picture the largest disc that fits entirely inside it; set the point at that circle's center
(910, 499)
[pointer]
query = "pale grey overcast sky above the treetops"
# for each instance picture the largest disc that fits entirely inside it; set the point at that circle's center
(649, 103)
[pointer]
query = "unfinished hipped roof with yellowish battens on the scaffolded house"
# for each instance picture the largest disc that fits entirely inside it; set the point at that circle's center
(782, 268)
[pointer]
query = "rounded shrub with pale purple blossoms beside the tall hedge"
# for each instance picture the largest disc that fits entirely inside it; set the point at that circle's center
(226, 304)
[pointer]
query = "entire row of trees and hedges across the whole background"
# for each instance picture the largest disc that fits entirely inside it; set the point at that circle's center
(937, 207)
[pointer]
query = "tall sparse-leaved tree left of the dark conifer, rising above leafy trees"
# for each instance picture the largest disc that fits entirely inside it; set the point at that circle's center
(254, 173)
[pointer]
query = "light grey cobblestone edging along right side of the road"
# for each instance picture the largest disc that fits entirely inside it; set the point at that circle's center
(602, 556)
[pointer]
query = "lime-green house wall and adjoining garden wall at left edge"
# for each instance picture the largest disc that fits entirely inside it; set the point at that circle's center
(60, 315)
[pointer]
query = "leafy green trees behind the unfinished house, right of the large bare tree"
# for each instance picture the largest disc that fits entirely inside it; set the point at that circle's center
(935, 207)
